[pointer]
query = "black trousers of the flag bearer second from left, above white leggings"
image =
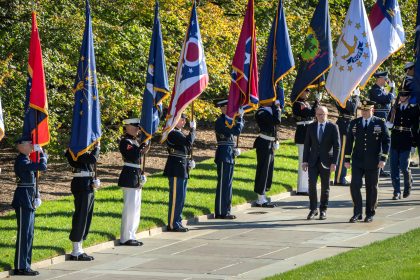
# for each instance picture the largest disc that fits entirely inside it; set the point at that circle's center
(82, 217)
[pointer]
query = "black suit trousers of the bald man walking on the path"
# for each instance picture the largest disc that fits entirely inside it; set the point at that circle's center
(324, 174)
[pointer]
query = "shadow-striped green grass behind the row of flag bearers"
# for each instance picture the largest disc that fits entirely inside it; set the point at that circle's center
(53, 218)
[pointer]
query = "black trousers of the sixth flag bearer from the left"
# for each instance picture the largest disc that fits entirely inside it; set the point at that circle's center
(264, 174)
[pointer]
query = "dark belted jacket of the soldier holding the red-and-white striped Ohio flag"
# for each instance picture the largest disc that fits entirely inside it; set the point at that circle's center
(179, 148)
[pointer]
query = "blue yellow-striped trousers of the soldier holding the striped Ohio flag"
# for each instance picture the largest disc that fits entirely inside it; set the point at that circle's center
(177, 193)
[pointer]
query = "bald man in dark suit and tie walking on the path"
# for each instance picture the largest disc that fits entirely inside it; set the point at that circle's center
(320, 156)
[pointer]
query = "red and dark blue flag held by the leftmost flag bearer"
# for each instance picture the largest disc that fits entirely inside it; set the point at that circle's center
(35, 125)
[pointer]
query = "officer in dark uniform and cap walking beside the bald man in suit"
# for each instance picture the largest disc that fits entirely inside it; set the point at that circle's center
(367, 156)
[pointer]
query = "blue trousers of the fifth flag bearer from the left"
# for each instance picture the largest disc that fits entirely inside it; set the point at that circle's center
(223, 201)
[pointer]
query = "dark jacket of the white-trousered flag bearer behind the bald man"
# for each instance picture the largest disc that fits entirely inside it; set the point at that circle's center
(303, 112)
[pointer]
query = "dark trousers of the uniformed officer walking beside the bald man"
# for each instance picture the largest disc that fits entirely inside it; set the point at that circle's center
(371, 184)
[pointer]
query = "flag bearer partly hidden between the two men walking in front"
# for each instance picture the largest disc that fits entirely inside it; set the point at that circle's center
(345, 116)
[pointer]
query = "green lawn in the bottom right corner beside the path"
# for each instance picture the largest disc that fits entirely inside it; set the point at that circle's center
(394, 258)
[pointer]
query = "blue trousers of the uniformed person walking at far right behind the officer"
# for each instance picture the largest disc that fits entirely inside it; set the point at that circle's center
(399, 161)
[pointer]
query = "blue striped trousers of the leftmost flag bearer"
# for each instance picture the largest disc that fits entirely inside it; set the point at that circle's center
(25, 236)
